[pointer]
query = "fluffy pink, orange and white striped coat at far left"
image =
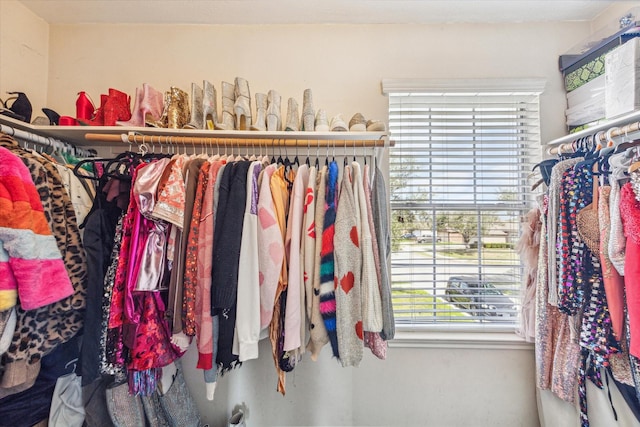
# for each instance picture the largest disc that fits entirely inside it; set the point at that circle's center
(31, 266)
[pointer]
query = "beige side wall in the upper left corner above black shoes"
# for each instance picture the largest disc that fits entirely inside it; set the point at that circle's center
(24, 54)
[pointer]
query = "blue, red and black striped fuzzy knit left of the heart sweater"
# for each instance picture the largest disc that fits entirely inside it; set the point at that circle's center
(327, 286)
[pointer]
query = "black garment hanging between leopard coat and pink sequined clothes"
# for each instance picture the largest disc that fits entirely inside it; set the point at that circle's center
(99, 233)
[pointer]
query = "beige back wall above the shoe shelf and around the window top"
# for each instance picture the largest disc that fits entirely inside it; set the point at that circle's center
(343, 64)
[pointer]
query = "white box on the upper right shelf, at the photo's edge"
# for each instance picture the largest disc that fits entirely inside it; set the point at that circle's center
(622, 79)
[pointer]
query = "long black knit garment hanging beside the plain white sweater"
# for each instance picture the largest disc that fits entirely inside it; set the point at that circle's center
(232, 197)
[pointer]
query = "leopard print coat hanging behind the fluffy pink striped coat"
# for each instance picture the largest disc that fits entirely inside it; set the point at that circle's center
(39, 331)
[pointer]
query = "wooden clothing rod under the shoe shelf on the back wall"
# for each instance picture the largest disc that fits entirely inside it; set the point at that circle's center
(244, 141)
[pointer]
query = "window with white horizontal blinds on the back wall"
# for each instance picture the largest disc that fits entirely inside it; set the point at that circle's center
(458, 178)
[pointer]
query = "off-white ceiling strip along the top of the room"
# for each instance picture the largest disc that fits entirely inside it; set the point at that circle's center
(313, 11)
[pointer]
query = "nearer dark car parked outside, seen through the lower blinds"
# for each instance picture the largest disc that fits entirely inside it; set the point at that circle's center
(481, 296)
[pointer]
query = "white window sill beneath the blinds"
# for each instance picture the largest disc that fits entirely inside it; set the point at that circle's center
(491, 338)
